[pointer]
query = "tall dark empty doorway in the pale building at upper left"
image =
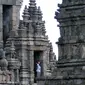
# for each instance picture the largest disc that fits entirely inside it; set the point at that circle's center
(7, 21)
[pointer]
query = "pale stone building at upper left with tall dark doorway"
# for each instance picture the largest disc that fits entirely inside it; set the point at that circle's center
(9, 18)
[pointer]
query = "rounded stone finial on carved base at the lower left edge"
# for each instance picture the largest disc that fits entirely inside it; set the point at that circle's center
(5, 75)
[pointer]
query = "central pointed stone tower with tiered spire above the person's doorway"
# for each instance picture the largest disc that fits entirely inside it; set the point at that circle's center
(36, 43)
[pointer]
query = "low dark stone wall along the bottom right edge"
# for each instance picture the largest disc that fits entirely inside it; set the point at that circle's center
(68, 81)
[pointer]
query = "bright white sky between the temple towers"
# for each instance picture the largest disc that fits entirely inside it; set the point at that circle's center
(48, 8)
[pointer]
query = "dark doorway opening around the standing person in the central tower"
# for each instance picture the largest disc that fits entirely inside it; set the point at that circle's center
(38, 56)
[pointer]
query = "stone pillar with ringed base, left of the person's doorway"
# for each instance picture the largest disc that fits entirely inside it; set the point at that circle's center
(24, 69)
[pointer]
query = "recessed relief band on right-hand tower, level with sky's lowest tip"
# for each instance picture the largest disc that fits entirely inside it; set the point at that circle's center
(73, 51)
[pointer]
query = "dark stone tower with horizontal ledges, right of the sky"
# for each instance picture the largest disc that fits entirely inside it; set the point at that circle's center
(71, 63)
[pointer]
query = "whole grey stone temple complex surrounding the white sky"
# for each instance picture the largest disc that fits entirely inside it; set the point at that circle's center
(24, 42)
